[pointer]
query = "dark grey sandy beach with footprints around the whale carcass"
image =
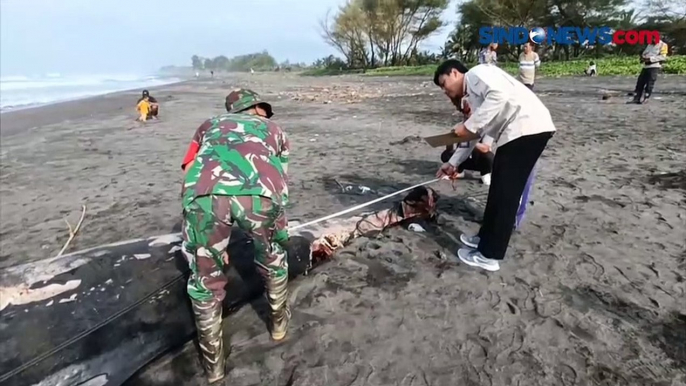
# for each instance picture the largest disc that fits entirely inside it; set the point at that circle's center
(591, 292)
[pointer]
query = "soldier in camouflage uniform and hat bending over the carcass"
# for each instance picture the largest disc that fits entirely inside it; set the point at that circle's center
(236, 173)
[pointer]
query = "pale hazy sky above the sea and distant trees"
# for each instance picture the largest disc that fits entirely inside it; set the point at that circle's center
(133, 36)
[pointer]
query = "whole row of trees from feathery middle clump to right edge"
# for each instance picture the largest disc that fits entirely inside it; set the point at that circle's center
(376, 33)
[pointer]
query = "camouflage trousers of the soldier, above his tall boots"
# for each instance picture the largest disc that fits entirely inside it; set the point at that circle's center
(206, 232)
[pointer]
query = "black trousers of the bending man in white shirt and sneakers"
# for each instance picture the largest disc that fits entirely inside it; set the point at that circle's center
(511, 168)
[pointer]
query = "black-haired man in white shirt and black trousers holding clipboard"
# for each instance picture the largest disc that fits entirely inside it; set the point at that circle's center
(503, 108)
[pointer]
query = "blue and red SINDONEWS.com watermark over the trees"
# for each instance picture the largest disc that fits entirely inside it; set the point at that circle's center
(566, 35)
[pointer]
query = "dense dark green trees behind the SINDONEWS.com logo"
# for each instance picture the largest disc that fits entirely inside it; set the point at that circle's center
(666, 16)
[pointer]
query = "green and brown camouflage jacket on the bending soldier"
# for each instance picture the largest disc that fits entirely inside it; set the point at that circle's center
(239, 155)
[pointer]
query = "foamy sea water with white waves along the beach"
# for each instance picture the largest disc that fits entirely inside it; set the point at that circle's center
(18, 92)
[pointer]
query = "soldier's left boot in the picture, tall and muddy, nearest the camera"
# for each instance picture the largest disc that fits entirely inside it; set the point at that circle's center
(208, 322)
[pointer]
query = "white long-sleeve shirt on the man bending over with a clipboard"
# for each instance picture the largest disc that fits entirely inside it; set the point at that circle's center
(502, 107)
